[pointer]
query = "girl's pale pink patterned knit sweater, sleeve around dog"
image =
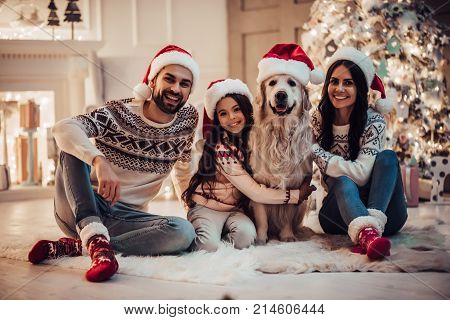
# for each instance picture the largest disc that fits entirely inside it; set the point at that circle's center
(233, 181)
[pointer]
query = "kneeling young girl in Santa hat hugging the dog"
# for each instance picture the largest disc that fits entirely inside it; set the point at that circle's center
(218, 193)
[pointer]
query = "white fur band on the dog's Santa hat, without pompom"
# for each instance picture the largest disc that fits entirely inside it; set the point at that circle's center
(271, 66)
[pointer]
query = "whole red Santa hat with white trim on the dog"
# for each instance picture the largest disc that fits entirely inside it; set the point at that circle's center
(289, 59)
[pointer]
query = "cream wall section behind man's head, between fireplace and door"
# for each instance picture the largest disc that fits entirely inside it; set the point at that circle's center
(134, 30)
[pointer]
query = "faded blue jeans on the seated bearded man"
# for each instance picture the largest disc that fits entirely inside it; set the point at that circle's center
(132, 232)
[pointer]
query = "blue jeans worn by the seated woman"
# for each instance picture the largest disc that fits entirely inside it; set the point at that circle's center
(346, 201)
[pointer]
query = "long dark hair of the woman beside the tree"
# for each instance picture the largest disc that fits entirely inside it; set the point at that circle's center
(358, 117)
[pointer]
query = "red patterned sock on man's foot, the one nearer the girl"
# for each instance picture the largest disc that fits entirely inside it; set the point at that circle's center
(104, 264)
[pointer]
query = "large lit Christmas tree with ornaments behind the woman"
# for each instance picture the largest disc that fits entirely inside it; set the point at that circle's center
(406, 45)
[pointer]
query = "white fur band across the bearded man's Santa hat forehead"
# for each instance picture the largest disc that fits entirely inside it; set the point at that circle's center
(174, 57)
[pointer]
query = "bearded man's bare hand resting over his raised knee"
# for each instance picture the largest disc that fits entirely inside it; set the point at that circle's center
(108, 182)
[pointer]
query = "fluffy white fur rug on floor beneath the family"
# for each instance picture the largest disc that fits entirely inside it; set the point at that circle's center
(414, 249)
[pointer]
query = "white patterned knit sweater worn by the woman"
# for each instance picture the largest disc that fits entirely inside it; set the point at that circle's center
(336, 162)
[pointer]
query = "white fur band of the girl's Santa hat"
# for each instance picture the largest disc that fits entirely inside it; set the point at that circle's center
(220, 89)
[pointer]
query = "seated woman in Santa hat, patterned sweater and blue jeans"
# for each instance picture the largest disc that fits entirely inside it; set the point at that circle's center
(365, 192)
